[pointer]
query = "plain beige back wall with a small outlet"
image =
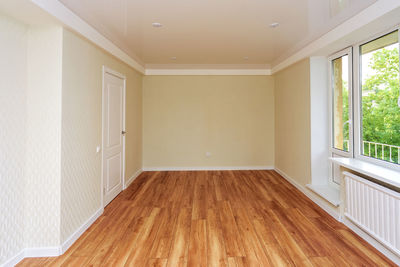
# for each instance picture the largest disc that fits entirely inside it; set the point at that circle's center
(232, 117)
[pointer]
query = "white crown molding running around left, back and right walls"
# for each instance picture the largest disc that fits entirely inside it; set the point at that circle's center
(71, 20)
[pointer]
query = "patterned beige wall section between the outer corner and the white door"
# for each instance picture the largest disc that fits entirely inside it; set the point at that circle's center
(81, 124)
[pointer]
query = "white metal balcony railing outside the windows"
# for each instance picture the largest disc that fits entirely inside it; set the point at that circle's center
(381, 151)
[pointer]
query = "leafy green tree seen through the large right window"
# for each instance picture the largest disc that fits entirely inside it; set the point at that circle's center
(380, 108)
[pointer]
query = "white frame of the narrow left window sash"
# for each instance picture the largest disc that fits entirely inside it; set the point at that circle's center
(332, 149)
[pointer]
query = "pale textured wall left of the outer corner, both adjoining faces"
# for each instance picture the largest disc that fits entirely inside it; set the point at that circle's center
(30, 144)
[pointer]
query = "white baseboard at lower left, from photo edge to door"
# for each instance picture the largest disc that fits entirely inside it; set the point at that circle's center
(53, 251)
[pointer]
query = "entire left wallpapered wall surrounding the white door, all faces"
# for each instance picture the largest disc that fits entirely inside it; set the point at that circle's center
(50, 173)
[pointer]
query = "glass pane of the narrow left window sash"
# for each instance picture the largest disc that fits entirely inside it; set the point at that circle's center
(340, 85)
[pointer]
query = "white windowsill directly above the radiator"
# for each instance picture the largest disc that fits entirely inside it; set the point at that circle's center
(379, 173)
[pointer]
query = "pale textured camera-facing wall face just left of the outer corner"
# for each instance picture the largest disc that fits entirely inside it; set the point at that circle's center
(43, 150)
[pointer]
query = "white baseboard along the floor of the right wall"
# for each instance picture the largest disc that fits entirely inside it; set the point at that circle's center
(325, 206)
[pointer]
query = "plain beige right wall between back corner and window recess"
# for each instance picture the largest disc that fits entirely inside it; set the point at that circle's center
(292, 122)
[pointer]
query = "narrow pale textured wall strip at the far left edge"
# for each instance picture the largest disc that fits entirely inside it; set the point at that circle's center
(12, 136)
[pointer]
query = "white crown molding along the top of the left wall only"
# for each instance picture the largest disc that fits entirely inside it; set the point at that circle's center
(70, 19)
